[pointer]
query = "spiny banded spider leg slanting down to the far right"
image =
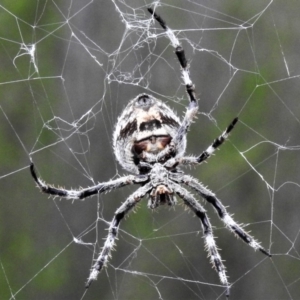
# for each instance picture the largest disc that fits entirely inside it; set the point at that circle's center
(222, 212)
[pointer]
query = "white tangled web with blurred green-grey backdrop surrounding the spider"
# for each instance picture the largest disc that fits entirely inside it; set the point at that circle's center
(68, 70)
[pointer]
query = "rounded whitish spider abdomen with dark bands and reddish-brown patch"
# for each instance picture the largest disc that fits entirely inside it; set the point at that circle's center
(145, 125)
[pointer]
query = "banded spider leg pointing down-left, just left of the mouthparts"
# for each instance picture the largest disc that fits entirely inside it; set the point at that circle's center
(128, 205)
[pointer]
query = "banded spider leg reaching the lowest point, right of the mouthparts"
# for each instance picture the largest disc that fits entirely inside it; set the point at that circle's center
(210, 243)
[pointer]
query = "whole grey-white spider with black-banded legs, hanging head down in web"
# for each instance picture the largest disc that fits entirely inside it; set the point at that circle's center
(150, 140)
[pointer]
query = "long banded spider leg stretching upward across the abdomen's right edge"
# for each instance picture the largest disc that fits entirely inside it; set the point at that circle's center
(190, 89)
